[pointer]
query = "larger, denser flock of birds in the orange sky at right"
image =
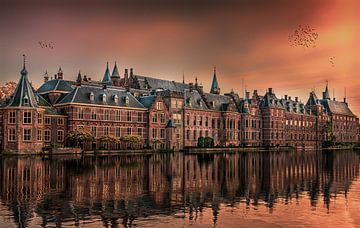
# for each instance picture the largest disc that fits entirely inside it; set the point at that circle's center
(303, 36)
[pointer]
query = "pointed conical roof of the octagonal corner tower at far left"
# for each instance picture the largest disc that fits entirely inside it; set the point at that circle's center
(24, 93)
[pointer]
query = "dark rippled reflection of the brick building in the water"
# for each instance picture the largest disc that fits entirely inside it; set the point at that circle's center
(120, 189)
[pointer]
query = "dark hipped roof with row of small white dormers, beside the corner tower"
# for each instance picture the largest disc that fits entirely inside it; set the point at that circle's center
(82, 93)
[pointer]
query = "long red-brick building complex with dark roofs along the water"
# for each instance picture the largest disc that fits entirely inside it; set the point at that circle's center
(165, 114)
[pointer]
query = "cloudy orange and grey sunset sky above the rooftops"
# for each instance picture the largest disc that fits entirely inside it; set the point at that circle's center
(247, 40)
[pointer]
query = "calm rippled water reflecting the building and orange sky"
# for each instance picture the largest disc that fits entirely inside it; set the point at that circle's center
(300, 189)
